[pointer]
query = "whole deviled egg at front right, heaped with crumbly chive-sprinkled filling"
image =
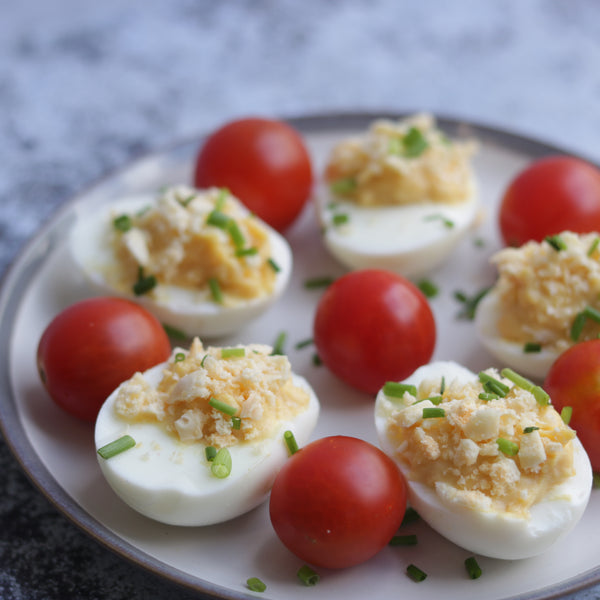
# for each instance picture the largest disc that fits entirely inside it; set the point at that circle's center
(490, 464)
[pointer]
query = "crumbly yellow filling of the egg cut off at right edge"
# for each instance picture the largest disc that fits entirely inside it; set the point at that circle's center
(541, 290)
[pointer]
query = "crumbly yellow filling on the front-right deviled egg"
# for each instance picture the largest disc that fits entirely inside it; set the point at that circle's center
(459, 456)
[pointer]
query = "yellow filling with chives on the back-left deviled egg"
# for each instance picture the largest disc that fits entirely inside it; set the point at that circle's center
(174, 241)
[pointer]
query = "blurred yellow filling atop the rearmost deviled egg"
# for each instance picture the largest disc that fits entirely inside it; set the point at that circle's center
(404, 162)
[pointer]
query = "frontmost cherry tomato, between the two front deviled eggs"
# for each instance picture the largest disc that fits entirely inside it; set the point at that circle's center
(337, 502)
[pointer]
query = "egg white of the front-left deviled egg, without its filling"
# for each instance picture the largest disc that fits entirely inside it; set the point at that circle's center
(170, 481)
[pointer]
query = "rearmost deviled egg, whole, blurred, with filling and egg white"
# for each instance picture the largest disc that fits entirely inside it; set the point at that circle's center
(399, 197)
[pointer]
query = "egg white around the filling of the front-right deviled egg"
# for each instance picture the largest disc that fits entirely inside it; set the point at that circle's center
(492, 534)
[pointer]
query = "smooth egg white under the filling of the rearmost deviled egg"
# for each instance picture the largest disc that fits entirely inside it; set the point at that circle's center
(411, 240)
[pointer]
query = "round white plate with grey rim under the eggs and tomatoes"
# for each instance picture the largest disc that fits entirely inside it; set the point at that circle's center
(57, 452)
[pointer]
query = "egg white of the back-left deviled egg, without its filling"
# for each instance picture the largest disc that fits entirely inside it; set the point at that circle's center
(189, 311)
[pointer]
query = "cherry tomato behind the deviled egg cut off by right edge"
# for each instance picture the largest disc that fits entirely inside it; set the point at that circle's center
(554, 194)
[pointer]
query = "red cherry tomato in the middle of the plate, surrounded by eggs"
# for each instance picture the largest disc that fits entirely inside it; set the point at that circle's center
(373, 326)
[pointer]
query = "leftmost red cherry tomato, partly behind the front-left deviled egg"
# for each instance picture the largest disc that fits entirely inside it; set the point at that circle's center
(92, 346)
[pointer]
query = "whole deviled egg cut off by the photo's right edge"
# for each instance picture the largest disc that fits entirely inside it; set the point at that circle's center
(546, 298)
